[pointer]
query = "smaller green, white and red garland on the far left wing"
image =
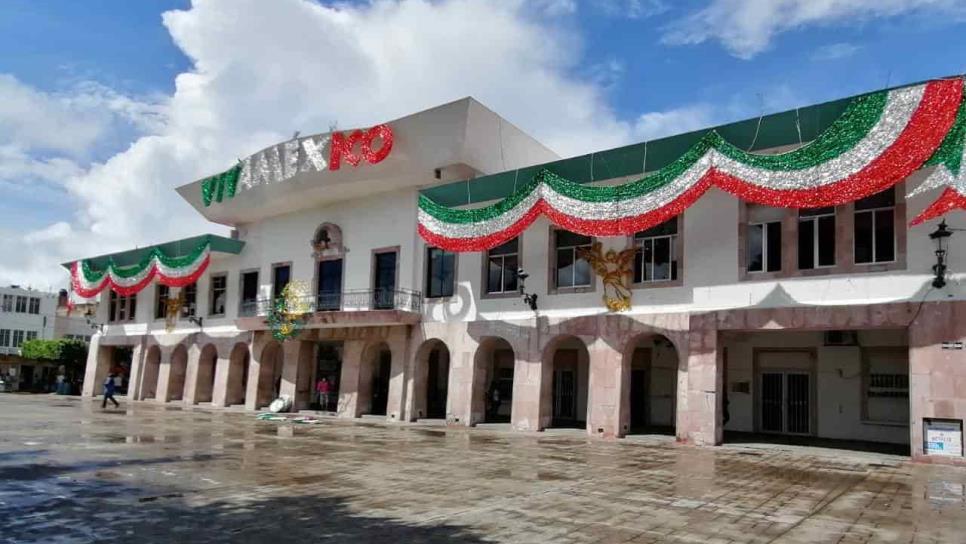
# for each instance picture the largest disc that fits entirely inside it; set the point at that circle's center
(87, 281)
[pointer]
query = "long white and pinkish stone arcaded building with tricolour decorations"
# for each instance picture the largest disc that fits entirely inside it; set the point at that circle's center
(816, 322)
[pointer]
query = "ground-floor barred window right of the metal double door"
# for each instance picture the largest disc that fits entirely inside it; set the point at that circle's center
(886, 385)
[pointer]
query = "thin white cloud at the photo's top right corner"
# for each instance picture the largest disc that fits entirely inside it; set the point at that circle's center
(747, 27)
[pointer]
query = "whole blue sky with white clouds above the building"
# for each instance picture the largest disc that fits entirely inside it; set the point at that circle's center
(106, 106)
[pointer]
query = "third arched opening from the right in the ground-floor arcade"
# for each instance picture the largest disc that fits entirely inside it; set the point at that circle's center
(493, 364)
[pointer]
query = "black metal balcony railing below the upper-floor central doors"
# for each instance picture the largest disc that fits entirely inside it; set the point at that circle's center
(406, 300)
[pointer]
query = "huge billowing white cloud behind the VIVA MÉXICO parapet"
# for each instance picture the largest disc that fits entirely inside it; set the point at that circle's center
(263, 70)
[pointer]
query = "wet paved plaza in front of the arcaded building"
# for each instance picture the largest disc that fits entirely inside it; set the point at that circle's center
(71, 472)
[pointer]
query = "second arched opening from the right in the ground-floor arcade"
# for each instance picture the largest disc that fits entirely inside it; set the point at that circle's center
(565, 382)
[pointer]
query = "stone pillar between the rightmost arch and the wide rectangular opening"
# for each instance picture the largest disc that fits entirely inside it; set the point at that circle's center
(699, 411)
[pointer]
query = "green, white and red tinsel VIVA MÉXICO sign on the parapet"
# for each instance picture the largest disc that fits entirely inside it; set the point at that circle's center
(299, 155)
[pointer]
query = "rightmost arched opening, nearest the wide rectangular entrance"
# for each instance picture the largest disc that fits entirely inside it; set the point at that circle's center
(651, 397)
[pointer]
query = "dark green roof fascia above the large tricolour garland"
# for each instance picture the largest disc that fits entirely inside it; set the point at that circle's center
(791, 127)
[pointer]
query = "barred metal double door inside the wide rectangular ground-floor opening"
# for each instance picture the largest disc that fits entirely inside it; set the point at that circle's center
(786, 402)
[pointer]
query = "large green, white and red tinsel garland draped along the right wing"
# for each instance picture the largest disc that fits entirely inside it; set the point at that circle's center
(878, 141)
